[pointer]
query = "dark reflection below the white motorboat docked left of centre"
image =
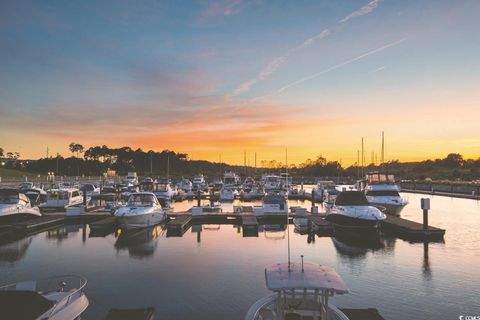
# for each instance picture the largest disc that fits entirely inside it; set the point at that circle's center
(140, 243)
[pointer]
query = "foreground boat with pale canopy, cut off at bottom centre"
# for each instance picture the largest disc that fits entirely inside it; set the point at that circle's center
(299, 291)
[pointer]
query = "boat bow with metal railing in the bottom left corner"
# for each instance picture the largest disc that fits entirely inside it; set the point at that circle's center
(57, 298)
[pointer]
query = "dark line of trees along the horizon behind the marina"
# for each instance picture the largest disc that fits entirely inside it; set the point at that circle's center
(97, 160)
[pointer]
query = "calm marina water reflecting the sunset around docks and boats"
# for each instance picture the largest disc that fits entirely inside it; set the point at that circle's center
(216, 273)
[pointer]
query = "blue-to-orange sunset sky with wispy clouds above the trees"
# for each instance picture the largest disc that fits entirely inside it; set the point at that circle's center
(219, 78)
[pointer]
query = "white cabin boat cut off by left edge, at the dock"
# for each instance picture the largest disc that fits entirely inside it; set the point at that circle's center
(15, 206)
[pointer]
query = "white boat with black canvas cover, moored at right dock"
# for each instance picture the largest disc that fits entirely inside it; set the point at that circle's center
(352, 212)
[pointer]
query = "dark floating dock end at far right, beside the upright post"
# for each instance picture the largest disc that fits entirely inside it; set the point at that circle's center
(410, 230)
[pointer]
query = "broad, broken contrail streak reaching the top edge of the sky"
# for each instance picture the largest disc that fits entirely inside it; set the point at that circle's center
(276, 63)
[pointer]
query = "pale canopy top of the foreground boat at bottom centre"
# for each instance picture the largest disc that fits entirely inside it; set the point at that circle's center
(314, 276)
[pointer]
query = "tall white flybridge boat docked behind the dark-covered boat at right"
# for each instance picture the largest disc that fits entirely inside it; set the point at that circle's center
(382, 192)
